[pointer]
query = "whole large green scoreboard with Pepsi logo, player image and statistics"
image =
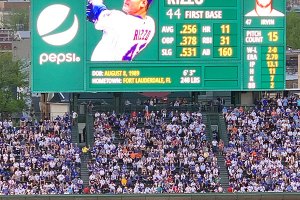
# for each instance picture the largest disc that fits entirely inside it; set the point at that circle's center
(195, 45)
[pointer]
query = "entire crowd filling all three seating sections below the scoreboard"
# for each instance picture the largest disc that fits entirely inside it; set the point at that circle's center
(164, 151)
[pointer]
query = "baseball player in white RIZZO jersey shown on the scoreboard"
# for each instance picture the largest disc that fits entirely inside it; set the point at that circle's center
(125, 34)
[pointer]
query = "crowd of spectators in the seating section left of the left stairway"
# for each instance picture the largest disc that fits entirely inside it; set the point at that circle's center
(39, 158)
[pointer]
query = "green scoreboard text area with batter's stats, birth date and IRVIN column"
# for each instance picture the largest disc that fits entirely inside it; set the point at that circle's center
(205, 45)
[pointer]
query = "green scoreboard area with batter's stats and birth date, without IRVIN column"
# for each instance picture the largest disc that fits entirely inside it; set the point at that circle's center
(198, 47)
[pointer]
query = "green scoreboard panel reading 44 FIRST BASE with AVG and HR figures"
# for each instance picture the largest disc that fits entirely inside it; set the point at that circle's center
(199, 30)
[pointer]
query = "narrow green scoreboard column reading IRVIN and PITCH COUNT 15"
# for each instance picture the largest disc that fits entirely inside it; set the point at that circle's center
(264, 48)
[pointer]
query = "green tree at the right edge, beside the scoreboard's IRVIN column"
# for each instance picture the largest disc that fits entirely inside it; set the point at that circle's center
(293, 30)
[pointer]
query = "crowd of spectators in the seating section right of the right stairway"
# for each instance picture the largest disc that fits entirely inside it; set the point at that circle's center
(264, 146)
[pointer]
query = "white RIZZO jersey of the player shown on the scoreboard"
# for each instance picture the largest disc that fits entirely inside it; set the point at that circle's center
(124, 36)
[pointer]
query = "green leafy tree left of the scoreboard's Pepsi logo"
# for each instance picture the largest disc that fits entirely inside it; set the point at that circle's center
(11, 77)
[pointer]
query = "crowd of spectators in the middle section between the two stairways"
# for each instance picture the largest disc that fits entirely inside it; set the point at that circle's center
(159, 152)
